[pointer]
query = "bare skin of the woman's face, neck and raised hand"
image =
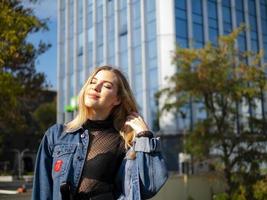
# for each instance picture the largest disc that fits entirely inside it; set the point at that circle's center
(101, 96)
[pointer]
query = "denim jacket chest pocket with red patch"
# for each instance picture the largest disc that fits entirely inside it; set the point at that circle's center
(62, 158)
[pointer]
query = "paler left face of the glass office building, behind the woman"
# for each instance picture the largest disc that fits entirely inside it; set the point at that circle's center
(117, 32)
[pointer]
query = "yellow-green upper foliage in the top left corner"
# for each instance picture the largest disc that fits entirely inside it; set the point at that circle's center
(16, 23)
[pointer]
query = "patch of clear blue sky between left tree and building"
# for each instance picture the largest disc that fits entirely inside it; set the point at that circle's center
(47, 62)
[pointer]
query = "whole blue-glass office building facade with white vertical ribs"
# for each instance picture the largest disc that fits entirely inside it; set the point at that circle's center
(138, 37)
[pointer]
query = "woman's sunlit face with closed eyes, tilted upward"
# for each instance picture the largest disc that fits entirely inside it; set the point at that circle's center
(101, 92)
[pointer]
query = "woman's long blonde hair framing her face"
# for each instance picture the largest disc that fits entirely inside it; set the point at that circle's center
(119, 113)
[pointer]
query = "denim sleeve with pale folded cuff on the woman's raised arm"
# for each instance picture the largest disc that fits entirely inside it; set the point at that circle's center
(151, 166)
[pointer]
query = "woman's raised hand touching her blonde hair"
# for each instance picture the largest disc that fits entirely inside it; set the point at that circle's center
(136, 122)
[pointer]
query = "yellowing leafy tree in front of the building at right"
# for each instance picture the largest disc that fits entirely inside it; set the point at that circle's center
(229, 86)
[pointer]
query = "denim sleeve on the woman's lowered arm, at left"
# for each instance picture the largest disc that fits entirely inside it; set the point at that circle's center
(43, 184)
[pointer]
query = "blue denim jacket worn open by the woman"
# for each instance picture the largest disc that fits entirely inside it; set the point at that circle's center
(61, 157)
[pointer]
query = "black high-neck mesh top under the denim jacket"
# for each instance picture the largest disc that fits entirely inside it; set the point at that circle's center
(105, 153)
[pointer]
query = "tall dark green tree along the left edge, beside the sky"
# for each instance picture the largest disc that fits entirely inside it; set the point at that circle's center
(20, 84)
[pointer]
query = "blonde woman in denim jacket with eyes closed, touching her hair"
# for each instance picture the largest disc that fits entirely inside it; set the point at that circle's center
(106, 152)
